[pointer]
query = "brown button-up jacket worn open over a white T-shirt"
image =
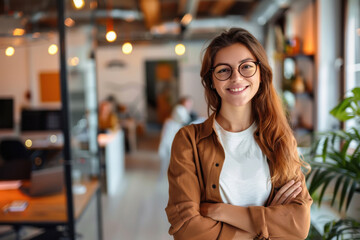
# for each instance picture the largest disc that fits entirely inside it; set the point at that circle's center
(196, 161)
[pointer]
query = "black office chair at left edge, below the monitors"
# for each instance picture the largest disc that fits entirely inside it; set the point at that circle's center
(16, 162)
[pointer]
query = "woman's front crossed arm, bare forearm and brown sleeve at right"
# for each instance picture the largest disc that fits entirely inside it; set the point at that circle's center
(289, 221)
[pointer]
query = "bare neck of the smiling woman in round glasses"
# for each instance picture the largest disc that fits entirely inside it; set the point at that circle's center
(235, 119)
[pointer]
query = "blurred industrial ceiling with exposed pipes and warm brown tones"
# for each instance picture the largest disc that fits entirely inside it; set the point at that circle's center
(139, 20)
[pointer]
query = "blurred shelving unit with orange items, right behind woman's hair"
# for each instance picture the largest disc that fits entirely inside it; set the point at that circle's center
(295, 71)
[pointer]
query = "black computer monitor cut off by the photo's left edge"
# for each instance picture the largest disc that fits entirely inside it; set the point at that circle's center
(6, 113)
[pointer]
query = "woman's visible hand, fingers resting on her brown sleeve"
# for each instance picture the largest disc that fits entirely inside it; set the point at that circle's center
(287, 192)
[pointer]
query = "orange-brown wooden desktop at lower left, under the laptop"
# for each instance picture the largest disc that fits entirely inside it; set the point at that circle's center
(47, 209)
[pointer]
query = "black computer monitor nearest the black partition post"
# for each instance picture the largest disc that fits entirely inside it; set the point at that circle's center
(40, 120)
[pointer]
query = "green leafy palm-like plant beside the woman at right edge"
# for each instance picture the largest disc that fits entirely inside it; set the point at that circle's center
(335, 158)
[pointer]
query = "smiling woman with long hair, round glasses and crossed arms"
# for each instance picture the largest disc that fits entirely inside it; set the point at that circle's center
(238, 175)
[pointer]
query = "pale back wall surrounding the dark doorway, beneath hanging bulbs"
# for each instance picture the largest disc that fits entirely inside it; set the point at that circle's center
(128, 83)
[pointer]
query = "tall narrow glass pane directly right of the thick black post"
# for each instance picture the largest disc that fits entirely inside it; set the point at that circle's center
(82, 98)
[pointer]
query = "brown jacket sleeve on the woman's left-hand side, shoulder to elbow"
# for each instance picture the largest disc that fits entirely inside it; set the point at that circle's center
(183, 209)
